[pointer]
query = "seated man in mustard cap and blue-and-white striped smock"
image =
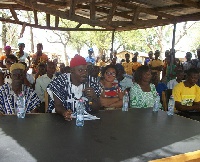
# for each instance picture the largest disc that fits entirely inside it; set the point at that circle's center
(9, 92)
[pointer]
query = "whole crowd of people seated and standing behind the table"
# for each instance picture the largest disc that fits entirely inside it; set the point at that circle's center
(100, 83)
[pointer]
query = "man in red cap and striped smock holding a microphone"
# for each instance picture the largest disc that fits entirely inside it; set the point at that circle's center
(67, 89)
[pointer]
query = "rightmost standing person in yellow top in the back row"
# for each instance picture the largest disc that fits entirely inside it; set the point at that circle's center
(156, 64)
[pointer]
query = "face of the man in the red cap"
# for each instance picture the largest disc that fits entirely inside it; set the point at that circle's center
(80, 73)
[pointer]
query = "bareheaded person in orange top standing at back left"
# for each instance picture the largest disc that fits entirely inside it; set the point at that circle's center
(38, 57)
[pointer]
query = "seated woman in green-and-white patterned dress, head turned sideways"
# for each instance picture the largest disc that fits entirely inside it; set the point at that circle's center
(142, 93)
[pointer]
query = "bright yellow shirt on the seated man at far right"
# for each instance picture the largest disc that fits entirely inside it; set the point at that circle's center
(186, 95)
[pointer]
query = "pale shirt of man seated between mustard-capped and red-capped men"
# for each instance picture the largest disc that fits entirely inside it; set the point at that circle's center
(41, 85)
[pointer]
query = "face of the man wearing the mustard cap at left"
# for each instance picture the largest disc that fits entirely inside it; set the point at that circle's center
(17, 76)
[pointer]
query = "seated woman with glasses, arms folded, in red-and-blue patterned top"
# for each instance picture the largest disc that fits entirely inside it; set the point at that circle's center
(112, 94)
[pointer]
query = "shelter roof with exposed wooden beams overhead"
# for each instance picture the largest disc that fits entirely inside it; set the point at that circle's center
(106, 14)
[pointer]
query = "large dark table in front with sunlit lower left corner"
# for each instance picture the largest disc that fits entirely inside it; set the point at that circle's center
(136, 135)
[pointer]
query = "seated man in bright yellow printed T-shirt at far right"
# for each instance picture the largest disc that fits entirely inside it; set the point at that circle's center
(186, 94)
